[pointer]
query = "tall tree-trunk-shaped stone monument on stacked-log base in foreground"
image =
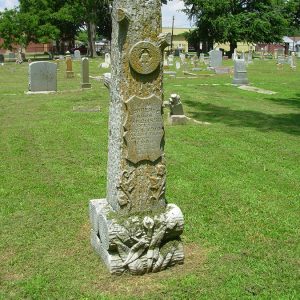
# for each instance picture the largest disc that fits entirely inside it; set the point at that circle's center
(134, 229)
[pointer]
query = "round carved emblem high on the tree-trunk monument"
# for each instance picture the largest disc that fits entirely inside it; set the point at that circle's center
(144, 57)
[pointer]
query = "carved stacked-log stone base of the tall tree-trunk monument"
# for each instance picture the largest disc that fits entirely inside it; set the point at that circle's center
(140, 243)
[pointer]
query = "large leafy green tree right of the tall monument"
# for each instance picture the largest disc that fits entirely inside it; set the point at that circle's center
(235, 21)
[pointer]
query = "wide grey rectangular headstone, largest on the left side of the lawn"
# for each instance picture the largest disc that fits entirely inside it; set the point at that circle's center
(42, 77)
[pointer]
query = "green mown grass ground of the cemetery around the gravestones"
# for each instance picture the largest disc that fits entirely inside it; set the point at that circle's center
(236, 180)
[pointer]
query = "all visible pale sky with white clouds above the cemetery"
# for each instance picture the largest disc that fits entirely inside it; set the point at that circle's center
(168, 11)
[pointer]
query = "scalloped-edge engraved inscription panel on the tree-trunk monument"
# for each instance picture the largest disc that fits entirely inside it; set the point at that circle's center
(143, 128)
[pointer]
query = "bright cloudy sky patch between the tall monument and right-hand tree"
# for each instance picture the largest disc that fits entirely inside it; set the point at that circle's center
(173, 9)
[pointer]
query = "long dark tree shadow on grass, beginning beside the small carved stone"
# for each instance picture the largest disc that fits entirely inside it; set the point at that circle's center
(288, 123)
